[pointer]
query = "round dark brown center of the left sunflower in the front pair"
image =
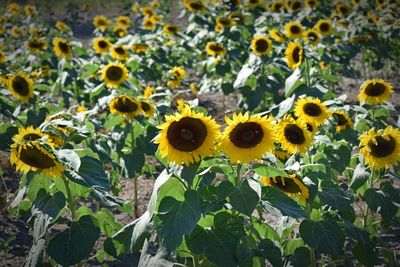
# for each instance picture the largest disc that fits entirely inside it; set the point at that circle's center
(187, 134)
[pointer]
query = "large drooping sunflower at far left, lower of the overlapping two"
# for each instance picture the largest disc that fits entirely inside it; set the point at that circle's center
(35, 156)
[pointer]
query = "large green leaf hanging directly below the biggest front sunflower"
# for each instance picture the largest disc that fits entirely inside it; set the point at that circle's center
(176, 218)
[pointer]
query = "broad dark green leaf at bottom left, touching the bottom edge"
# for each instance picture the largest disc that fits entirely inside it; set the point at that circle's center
(76, 242)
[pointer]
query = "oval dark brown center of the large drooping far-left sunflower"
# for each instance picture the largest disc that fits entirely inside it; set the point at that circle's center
(36, 158)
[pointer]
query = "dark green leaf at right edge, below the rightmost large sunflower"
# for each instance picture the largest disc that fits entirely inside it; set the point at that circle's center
(378, 201)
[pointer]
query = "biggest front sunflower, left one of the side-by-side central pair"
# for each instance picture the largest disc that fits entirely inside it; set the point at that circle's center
(187, 136)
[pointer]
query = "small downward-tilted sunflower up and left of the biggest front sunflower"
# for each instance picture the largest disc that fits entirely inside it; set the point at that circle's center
(126, 106)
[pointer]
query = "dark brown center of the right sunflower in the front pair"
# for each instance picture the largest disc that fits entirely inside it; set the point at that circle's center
(246, 135)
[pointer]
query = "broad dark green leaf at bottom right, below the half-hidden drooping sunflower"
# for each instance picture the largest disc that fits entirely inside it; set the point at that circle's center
(324, 236)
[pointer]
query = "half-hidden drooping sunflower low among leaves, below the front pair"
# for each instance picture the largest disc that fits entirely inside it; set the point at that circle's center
(291, 185)
